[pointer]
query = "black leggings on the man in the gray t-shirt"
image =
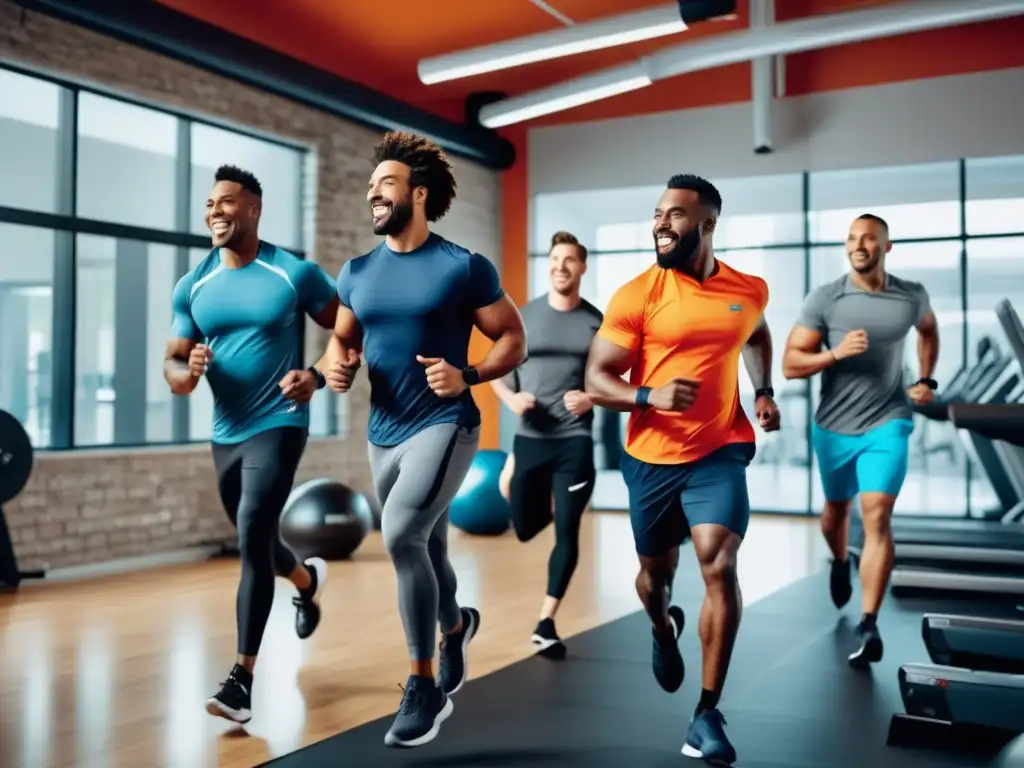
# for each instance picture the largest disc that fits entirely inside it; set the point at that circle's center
(562, 466)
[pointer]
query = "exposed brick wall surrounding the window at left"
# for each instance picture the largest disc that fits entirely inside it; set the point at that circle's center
(93, 506)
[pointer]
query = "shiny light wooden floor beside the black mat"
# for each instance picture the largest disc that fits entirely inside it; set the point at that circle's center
(114, 672)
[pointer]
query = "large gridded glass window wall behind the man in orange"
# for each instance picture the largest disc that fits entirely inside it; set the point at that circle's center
(958, 229)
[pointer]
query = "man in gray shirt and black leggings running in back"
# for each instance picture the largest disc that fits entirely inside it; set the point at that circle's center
(554, 447)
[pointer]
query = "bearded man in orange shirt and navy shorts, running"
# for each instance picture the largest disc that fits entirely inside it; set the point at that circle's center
(680, 329)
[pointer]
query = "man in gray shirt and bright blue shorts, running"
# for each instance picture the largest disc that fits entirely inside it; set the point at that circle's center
(865, 419)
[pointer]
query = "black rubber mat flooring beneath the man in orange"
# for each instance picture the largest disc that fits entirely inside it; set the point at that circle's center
(791, 699)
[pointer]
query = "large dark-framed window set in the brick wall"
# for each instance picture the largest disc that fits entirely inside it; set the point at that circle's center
(102, 207)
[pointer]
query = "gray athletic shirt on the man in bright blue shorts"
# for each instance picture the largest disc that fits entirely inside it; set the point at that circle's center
(868, 391)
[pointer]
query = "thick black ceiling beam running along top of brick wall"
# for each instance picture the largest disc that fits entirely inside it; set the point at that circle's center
(158, 28)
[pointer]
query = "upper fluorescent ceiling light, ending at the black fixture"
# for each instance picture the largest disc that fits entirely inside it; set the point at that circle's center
(580, 38)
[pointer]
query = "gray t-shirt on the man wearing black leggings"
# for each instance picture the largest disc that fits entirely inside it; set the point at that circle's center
(558, 347)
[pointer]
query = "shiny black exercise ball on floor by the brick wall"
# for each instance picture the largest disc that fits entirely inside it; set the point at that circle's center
(327, 520)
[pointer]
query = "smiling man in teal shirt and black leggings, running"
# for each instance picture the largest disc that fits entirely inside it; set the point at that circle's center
(238, 321)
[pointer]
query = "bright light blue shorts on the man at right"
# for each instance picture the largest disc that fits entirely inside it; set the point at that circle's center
(871, 463)
